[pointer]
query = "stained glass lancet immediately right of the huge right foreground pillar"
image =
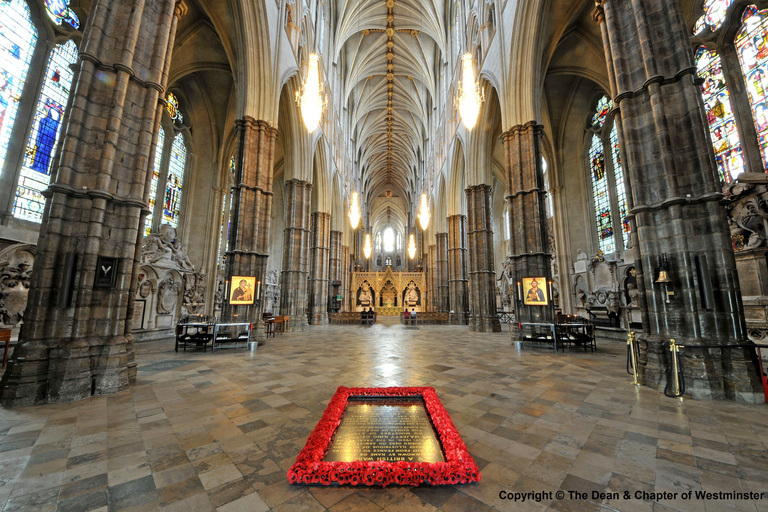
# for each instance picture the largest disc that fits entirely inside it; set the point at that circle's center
(722, 125)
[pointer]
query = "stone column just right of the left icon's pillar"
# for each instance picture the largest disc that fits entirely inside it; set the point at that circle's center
(293, 286)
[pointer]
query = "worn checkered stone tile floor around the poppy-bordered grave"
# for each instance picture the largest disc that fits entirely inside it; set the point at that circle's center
(219, 431)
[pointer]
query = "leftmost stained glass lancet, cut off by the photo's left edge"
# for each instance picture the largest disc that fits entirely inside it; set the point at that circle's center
(18, 37)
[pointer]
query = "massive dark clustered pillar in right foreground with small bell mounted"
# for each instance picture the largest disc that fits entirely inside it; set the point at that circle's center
(675, 194)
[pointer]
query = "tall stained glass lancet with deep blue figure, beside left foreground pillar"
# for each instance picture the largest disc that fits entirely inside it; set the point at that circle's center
(46, 128)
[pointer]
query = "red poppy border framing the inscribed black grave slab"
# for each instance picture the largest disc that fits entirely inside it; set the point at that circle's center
(311, 469)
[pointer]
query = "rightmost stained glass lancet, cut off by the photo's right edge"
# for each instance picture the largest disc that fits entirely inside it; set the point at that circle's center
(752, 48)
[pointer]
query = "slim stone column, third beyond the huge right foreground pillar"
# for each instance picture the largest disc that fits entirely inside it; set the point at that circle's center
(457, 267)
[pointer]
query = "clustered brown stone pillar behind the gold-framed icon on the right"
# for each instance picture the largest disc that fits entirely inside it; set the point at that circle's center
(528, 242)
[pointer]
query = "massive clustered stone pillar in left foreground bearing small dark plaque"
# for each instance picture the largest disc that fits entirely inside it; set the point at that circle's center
(76, 338)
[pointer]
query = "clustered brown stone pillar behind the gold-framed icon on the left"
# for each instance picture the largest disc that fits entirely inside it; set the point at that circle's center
(251, 213)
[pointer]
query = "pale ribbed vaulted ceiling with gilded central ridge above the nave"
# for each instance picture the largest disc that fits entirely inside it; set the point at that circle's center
(389, 51)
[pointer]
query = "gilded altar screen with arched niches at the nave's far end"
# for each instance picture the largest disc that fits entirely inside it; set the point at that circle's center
(388, 292)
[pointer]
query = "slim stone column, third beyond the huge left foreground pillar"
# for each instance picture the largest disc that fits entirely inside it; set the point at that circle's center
(320, 268)
